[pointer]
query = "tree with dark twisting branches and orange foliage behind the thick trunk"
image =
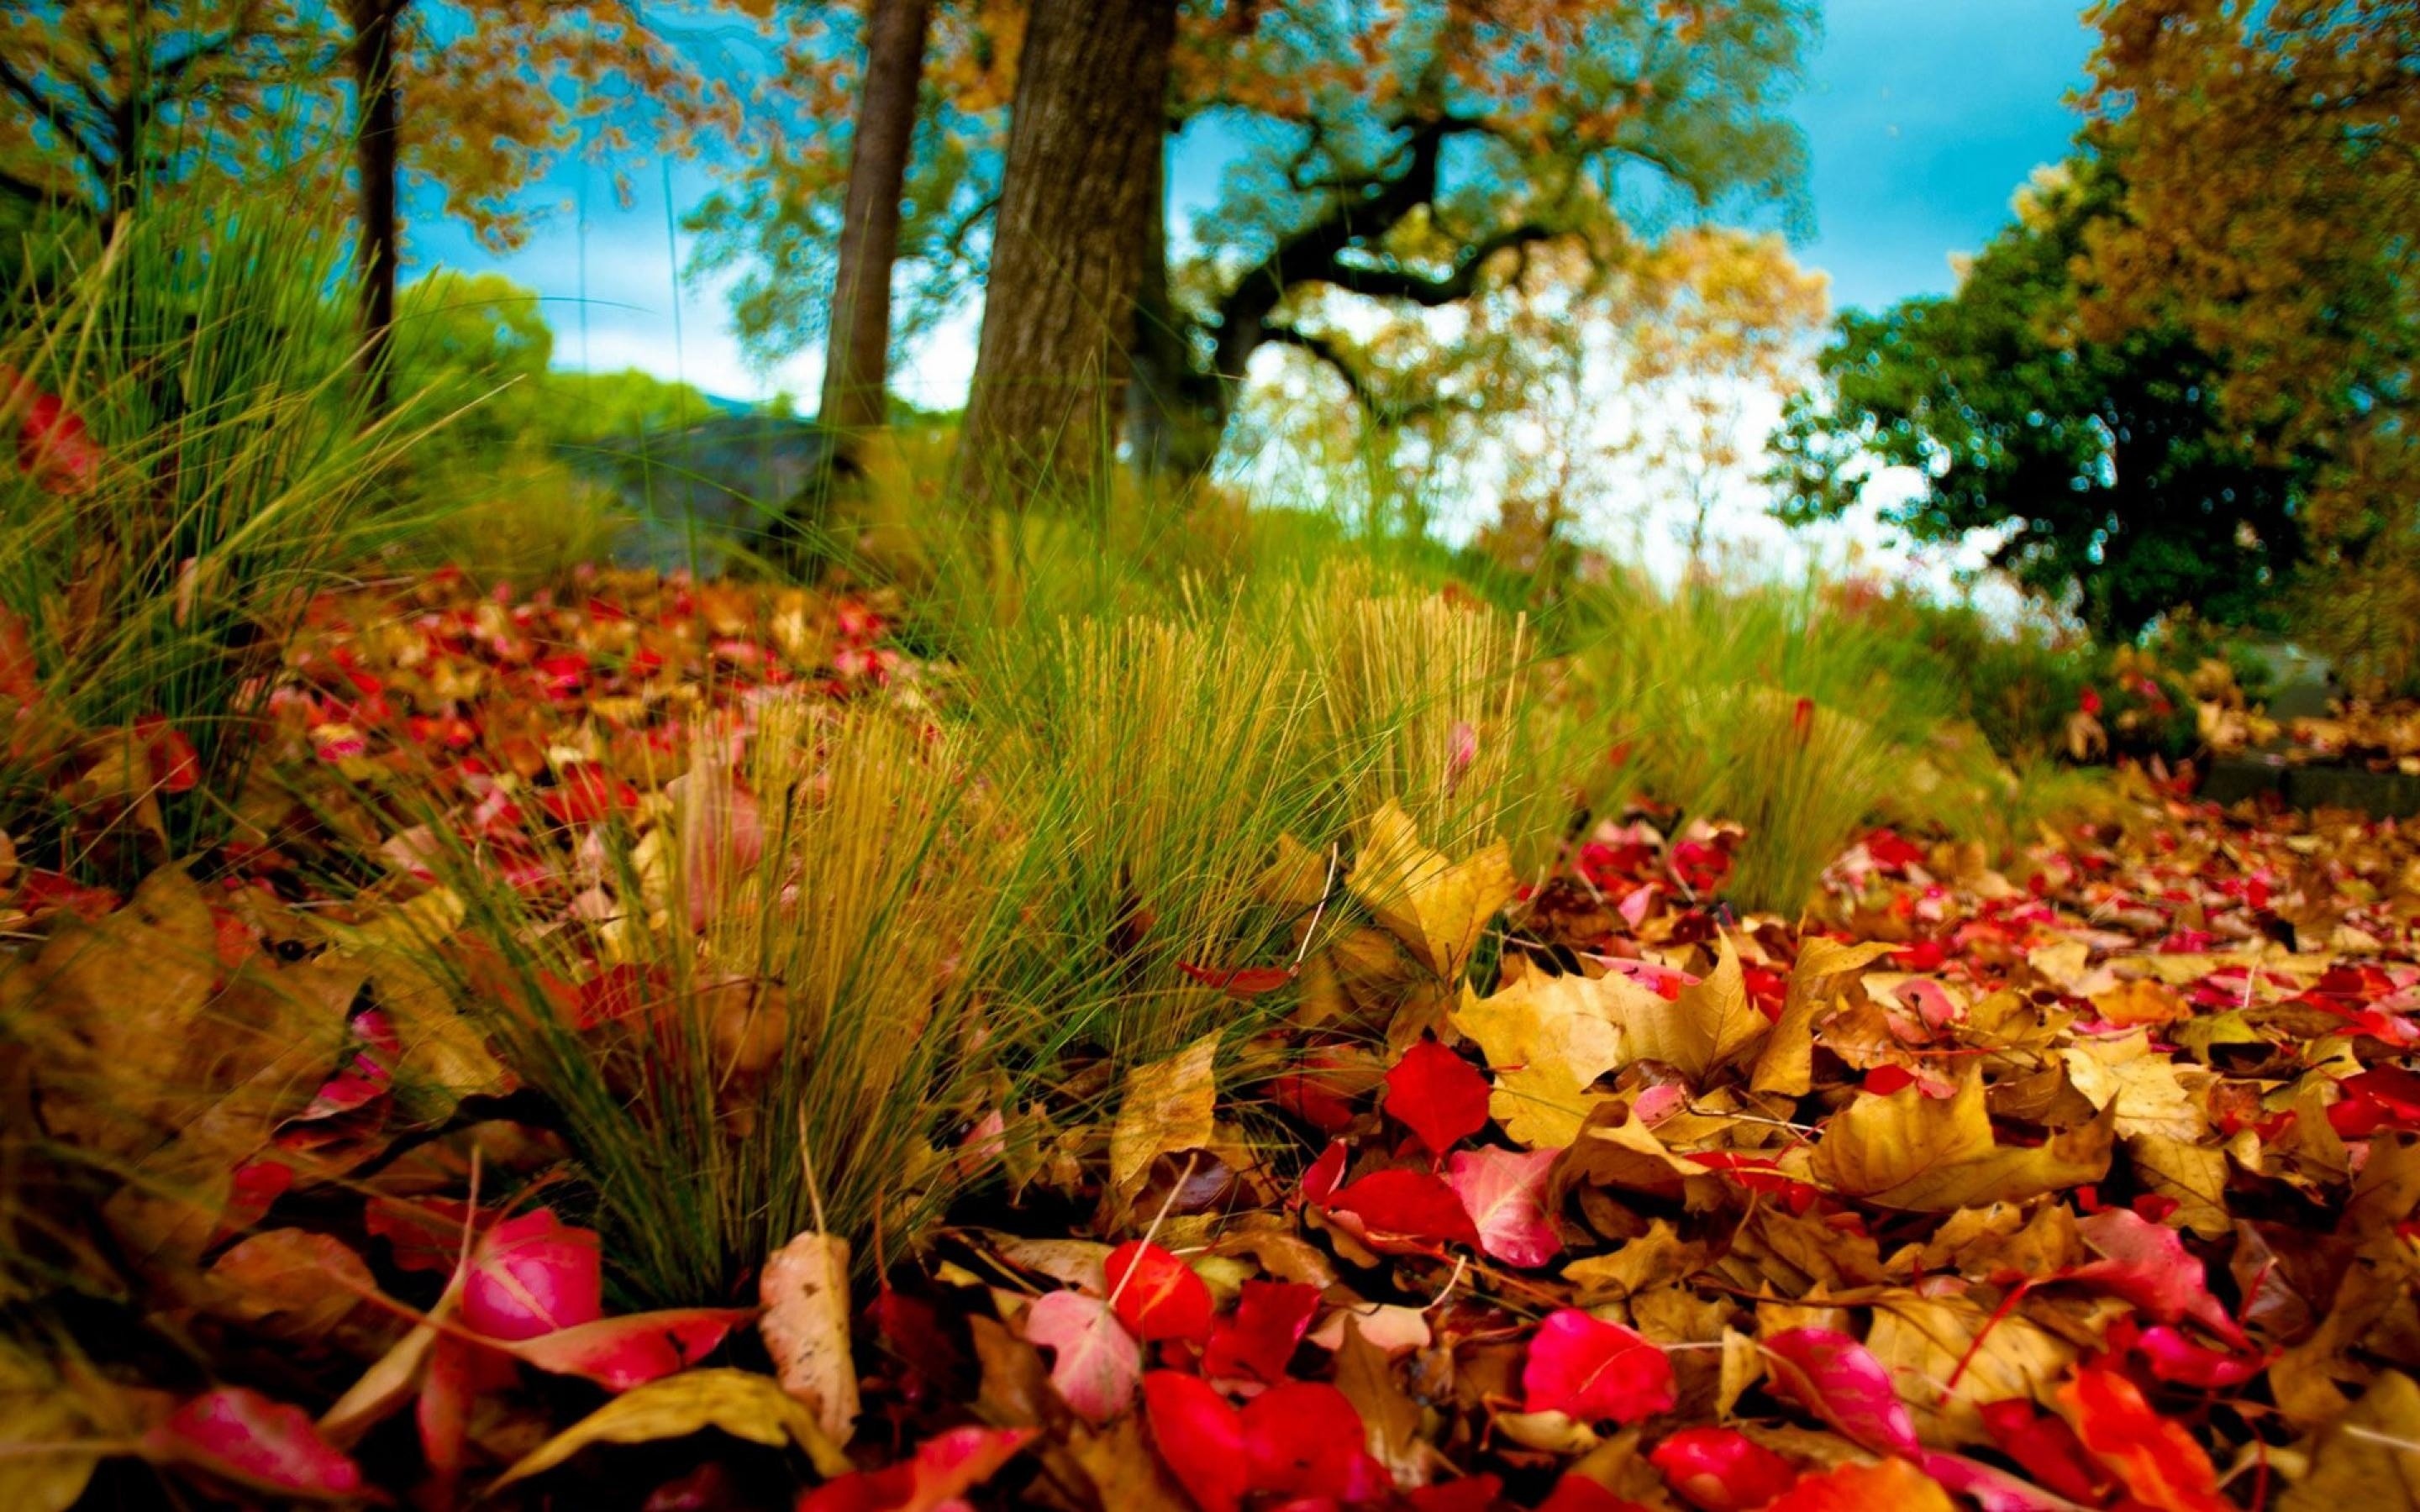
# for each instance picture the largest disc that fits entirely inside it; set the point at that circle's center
(1398, 158)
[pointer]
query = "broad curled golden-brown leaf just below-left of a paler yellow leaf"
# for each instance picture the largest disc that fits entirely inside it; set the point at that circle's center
(1935, 1155)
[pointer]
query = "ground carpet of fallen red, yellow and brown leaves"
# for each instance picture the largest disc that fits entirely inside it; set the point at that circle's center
(2080, 1177)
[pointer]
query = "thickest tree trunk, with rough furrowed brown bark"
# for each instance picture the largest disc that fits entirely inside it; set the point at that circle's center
(1059, 313)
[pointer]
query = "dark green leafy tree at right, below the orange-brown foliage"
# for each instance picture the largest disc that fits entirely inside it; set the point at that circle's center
(2109, 468)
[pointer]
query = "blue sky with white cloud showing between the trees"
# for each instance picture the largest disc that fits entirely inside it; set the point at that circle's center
(1920, 115)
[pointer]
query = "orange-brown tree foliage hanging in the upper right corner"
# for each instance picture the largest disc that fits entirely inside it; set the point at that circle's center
(2274, 185)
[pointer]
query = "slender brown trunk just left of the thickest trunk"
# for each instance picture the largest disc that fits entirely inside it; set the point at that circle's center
(858, 352)
